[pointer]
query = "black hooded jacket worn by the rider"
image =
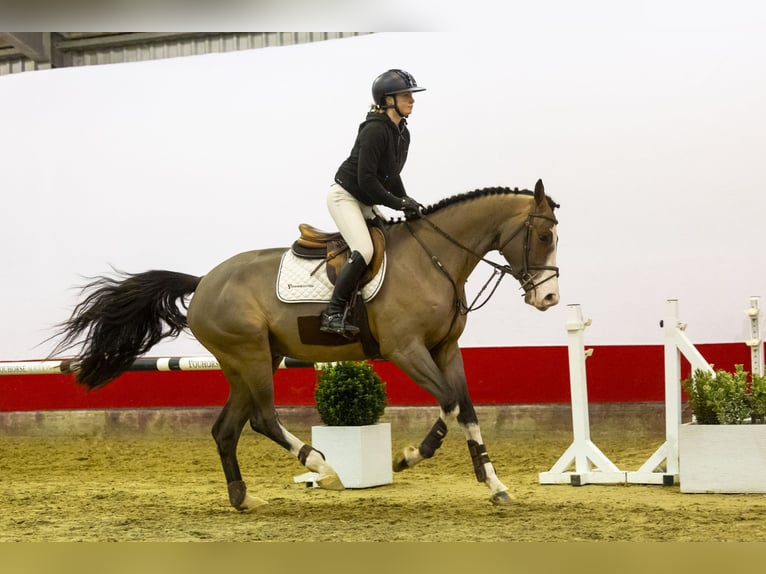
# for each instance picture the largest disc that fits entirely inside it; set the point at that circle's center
(371, 172)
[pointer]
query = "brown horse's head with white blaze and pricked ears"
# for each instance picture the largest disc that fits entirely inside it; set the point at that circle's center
(531, 253)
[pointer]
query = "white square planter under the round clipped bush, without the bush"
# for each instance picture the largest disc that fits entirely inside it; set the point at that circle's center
(361, 455)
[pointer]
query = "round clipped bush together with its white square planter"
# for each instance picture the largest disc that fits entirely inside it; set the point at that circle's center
(350, 399)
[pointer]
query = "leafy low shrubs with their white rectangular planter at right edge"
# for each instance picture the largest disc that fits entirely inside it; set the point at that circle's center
(724, 448)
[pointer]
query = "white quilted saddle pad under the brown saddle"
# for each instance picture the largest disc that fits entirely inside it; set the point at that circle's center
(296, 284)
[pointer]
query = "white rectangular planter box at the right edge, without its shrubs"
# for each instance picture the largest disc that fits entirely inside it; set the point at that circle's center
(722, 458)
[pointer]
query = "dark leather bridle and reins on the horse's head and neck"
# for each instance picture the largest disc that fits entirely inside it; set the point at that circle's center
(525, 276)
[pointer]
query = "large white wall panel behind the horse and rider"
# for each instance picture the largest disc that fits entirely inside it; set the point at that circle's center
(649, 131)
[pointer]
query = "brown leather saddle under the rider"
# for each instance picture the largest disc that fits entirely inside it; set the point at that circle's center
(329, 246)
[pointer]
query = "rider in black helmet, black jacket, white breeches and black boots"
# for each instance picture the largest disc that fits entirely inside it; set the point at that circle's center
(370, 176)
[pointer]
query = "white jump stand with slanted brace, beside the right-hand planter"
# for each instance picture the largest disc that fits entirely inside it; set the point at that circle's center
(676, 344)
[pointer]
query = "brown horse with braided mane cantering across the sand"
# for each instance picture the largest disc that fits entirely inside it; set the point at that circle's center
(415, 321)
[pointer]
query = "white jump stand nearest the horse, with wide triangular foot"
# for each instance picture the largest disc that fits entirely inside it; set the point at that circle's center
(591, 466)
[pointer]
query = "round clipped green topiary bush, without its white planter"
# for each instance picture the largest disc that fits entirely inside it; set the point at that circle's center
(350, 394)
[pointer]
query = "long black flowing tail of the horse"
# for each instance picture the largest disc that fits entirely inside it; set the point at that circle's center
(122, 318)
